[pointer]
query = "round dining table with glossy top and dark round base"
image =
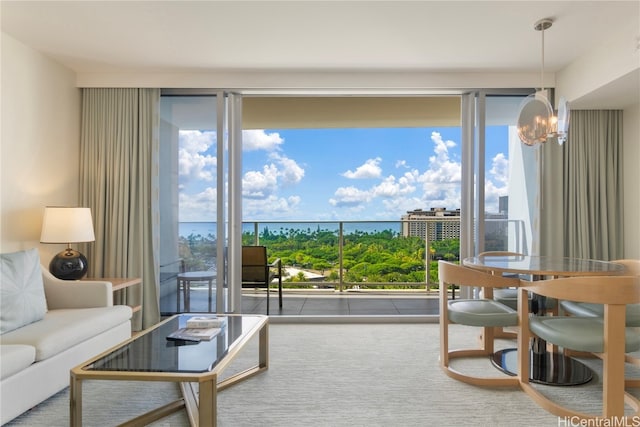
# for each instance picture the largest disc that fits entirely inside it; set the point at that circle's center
(548, 367)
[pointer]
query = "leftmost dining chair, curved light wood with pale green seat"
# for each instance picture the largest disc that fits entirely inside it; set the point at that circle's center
(485, 313)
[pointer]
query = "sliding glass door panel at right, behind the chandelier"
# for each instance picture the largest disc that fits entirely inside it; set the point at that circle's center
(503, 193)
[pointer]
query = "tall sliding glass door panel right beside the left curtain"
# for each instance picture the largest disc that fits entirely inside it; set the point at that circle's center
(194, 201)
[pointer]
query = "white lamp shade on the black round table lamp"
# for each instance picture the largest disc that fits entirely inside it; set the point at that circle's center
(67, 225)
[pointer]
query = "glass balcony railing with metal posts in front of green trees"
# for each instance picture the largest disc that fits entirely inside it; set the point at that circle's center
(344, 255)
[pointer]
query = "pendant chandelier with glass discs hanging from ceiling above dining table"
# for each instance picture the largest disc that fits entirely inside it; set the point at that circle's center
(537, 121)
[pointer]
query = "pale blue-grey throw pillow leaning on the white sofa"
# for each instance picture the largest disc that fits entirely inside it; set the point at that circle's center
(22, 299)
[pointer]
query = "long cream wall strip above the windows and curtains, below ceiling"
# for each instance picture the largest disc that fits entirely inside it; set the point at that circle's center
(324, 82)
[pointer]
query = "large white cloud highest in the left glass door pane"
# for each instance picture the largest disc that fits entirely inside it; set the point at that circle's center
(193, 164)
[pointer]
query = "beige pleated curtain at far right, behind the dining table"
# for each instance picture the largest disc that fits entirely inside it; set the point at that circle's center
(593, 192)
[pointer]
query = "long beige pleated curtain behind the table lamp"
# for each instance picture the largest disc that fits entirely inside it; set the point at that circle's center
(119, 182)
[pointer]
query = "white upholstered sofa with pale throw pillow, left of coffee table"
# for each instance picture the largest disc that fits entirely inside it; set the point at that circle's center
(79, 321)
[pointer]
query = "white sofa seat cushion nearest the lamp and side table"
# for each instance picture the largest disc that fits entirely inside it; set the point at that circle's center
(62, 329)
